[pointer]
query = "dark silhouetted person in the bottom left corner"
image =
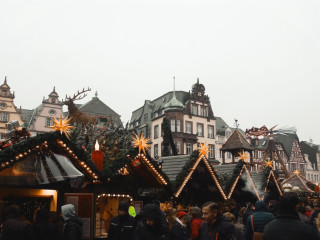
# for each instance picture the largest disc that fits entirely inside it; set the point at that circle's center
(13, 227)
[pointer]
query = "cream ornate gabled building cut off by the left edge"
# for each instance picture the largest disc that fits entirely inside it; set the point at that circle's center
(8, 111)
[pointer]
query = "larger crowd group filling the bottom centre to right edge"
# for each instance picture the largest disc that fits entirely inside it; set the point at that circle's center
(277, 220)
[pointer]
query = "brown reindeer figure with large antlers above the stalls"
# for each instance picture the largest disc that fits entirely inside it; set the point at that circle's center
(74, 112)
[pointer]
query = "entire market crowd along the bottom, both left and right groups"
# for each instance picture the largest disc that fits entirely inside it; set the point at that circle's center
(277, 220)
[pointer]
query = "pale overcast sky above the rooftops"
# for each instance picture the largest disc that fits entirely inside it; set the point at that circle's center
(259, 60)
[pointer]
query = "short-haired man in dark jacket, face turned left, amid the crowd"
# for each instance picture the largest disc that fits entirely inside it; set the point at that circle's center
(215, 226)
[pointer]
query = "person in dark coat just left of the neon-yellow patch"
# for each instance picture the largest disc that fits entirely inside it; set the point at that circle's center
(121, 226)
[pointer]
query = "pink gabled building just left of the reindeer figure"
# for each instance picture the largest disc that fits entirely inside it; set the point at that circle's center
(39, 119)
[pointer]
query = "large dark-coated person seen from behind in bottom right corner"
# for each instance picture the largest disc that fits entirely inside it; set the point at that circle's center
(287, 225)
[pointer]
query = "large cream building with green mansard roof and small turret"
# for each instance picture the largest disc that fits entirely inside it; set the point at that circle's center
(190, 116)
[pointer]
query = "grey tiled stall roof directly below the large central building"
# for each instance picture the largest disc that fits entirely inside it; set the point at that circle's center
(172, 165)
